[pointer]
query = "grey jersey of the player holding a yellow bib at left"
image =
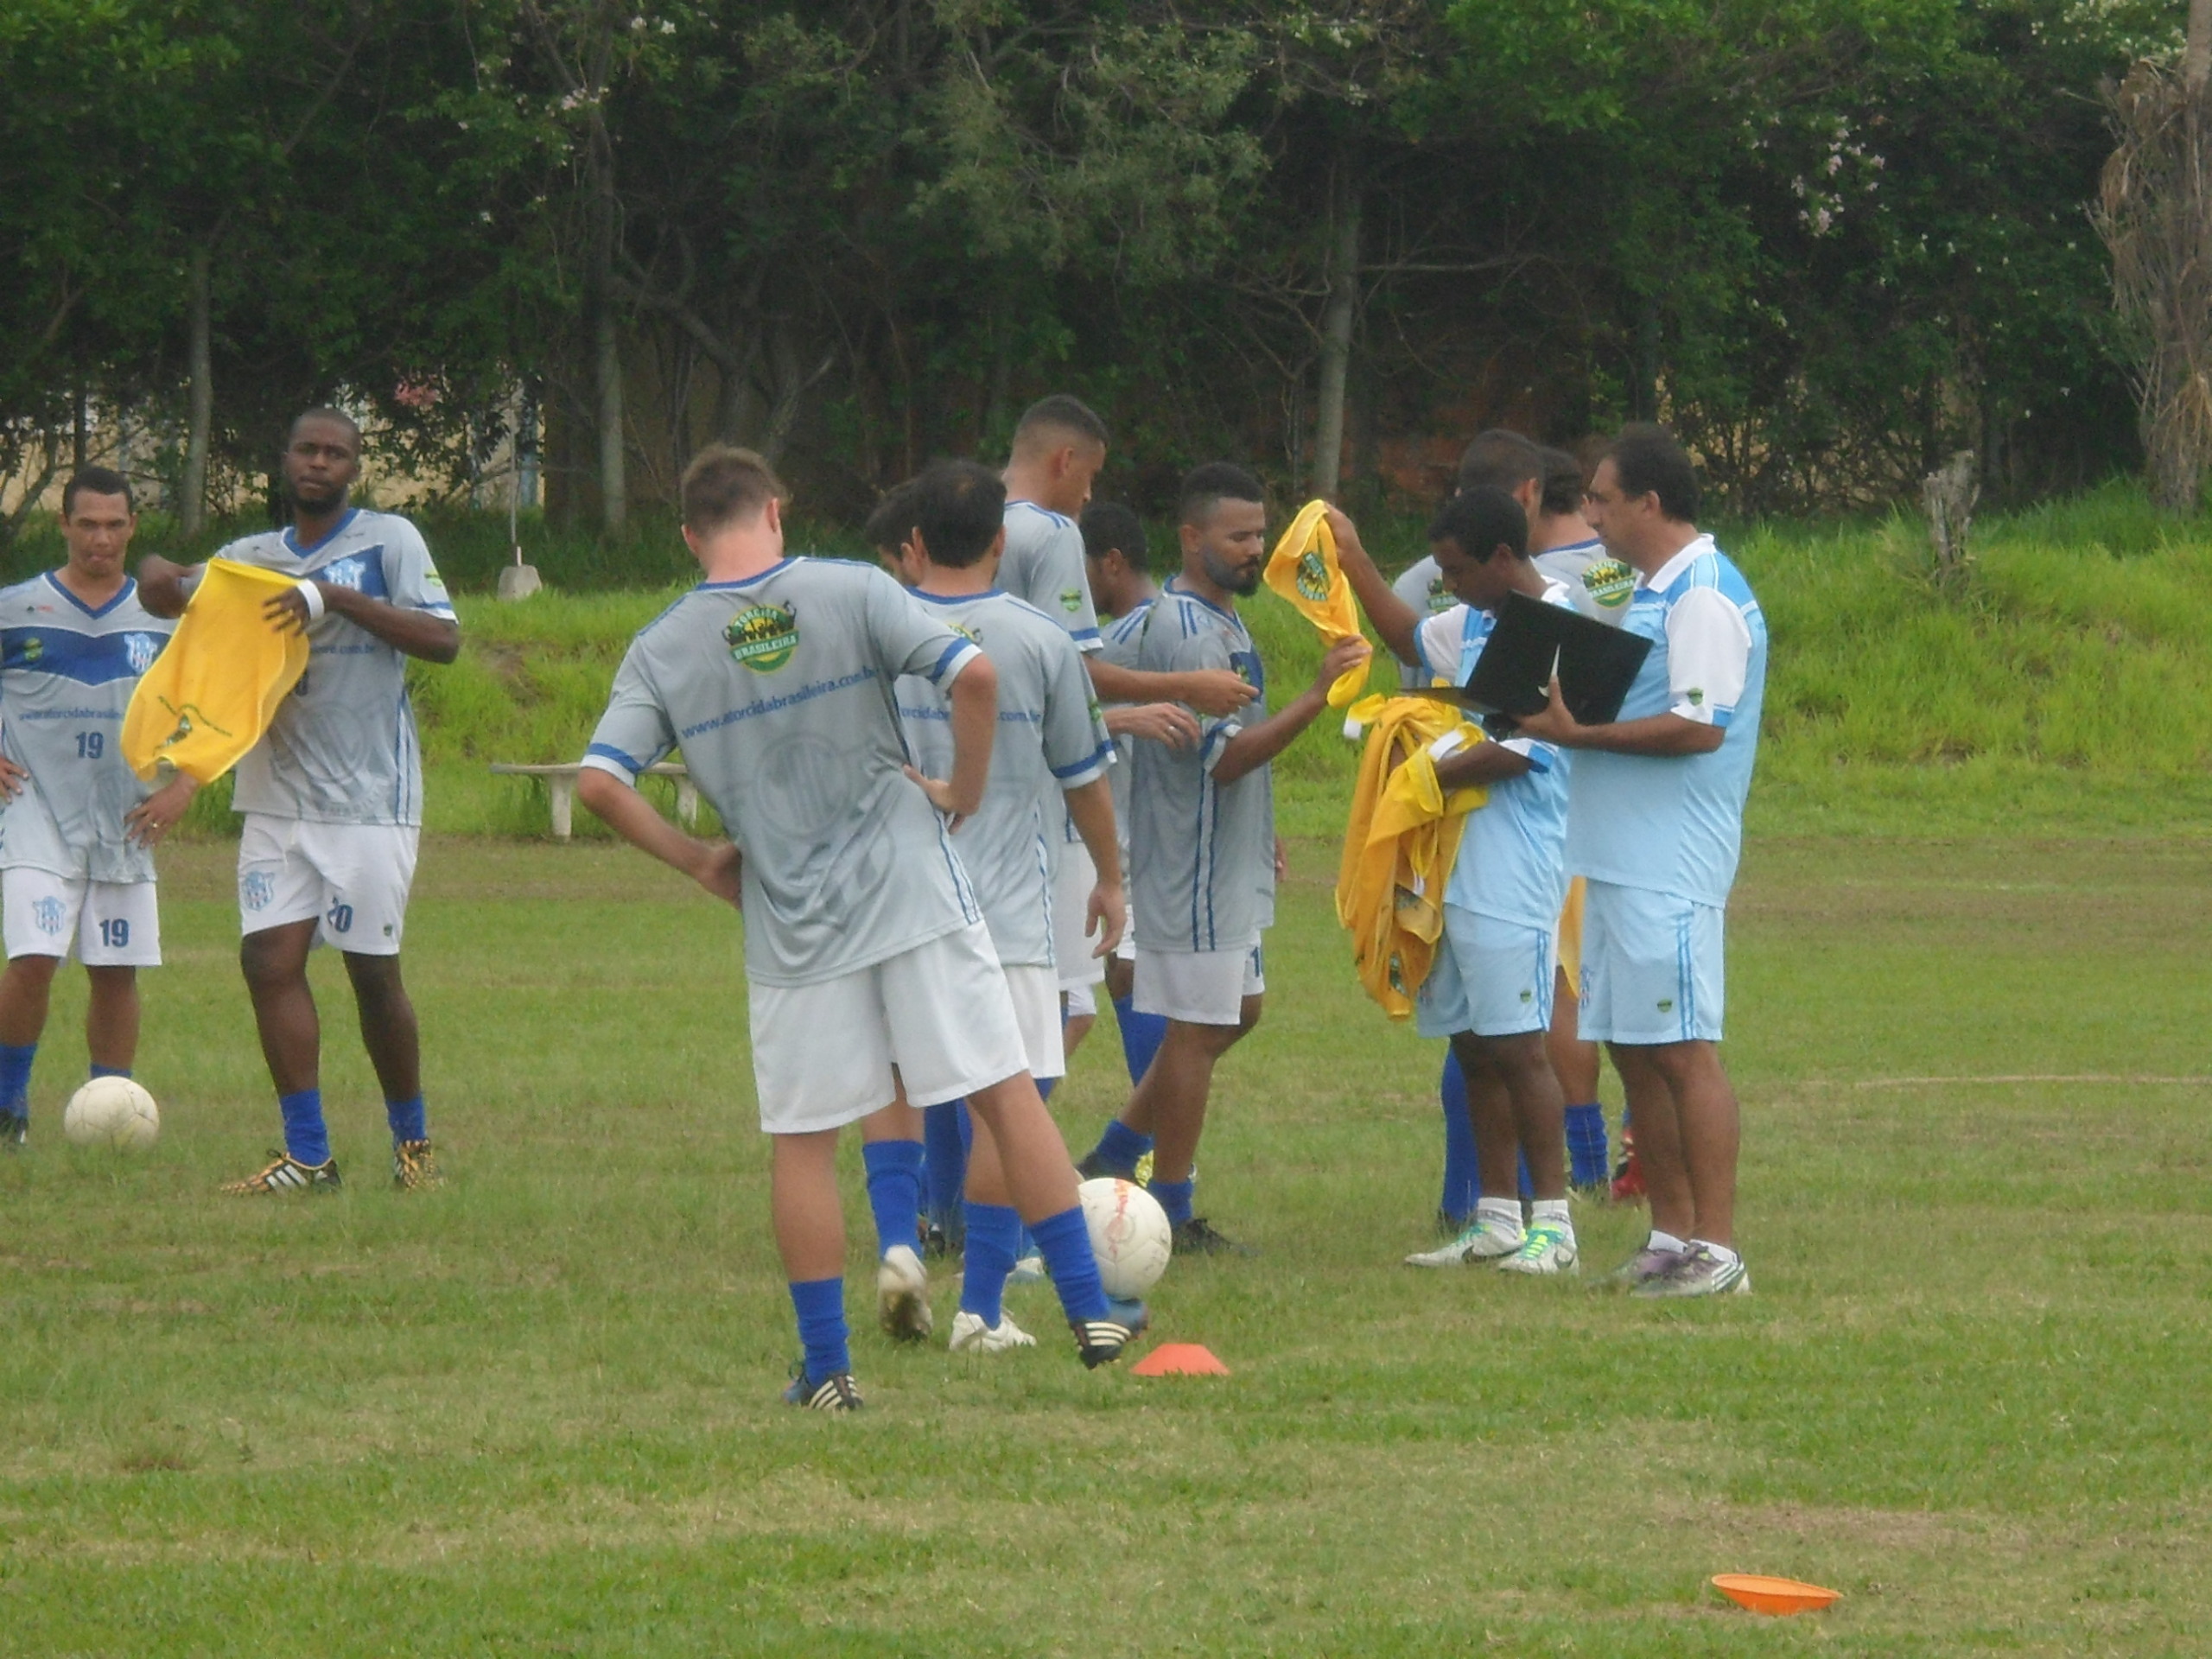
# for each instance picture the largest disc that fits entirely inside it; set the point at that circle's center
(344, 744)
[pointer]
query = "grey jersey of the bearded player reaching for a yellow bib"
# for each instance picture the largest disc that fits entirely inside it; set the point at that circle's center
(1202, 853)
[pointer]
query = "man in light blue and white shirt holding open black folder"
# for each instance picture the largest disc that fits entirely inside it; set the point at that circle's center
(1656, 824)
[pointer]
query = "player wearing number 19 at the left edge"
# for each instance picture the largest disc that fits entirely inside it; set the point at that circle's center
(76, 826)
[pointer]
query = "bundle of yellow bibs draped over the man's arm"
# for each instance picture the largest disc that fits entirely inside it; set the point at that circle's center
(1401, 844)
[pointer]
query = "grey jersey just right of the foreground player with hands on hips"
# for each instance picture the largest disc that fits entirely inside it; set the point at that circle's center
(1050, 740)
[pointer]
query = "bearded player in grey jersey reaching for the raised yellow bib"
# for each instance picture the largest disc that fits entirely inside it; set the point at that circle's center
(1202, 833)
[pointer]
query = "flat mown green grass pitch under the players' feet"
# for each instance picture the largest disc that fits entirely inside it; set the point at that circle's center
(536, 1415)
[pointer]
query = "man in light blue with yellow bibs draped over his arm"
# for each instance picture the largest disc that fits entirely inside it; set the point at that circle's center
(1494, 977)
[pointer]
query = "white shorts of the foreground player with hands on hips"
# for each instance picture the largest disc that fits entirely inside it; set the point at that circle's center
(941, 1014)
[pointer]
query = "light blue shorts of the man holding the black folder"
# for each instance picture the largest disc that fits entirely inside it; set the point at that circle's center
(1651, 968)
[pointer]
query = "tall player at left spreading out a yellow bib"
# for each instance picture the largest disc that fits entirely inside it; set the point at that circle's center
(333, 795)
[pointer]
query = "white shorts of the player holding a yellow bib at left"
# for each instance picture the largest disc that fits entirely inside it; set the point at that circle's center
(348, 877)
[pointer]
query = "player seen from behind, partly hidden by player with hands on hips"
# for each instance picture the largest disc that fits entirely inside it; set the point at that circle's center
(1050, 749)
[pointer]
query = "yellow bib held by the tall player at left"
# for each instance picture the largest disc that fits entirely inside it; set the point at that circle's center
(213, 693)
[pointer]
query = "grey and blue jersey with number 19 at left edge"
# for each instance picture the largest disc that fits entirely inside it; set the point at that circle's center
(65, 682)
